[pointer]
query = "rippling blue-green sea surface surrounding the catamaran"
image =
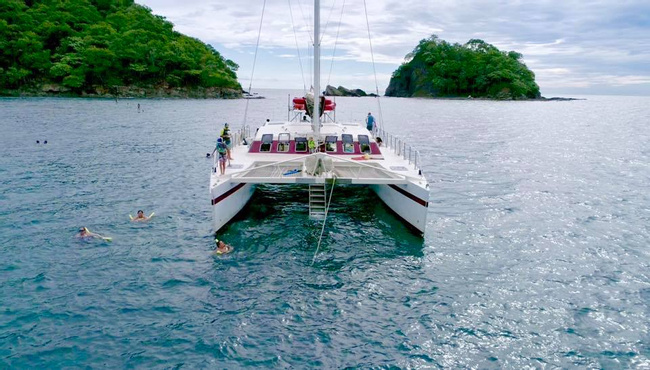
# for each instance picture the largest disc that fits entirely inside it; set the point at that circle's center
(536, 252)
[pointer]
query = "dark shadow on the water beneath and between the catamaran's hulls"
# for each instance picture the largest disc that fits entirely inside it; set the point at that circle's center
(359, 226)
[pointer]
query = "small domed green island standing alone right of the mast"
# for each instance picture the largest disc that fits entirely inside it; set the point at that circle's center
(436, 68)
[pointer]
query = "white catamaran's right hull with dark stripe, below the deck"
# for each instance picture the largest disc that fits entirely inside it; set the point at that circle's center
(409, 201)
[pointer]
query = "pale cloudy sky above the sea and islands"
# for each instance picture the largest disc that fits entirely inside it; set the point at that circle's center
(573, 47)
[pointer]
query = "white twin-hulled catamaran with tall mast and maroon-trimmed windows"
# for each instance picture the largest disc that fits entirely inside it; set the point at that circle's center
(315, 150)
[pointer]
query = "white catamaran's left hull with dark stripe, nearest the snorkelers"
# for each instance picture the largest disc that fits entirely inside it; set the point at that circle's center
(228, 198)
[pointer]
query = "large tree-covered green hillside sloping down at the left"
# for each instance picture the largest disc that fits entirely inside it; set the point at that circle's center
(102, 46)
